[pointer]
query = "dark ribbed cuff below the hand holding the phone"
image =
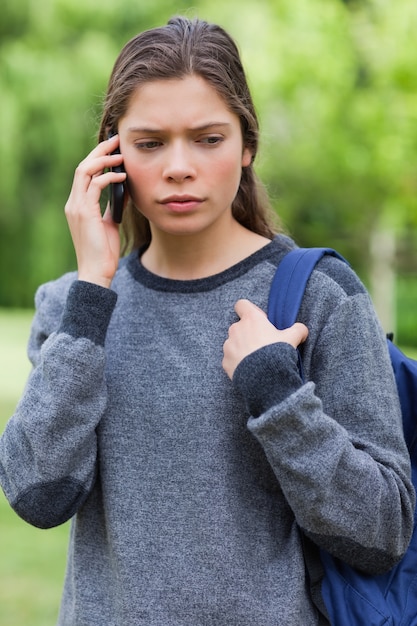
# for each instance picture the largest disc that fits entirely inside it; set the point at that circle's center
(88, 310)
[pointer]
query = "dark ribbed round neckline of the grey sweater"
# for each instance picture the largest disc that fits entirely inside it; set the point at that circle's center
(158, 283)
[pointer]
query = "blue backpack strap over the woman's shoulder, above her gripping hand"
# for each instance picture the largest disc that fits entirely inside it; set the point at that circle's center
(289, 283)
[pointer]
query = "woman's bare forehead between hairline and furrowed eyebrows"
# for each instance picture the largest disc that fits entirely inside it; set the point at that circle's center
(191, 100)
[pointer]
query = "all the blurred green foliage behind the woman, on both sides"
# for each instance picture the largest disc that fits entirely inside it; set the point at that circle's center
(335, 84)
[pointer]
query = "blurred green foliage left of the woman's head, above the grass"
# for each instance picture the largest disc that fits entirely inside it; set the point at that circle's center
(55, 59)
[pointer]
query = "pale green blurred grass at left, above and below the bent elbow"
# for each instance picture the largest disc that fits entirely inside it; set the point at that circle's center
(32, 561)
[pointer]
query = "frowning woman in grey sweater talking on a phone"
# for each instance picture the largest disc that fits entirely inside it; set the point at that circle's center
(164, 413)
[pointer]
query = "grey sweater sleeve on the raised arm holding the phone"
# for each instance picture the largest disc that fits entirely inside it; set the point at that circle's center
(48, 450)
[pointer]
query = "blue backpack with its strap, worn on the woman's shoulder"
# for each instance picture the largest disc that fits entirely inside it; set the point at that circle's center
(350, 597)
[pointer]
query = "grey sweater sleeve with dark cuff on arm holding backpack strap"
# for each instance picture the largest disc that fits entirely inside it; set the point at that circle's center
(335, 443)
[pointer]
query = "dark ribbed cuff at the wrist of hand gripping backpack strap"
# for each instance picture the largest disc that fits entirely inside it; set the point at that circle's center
(267, 376)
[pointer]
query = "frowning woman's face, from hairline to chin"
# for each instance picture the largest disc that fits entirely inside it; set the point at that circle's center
(183, 154)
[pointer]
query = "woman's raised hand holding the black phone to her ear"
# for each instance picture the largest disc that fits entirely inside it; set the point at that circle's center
(96, 238)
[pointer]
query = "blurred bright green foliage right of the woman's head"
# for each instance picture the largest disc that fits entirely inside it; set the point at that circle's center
(336, 84)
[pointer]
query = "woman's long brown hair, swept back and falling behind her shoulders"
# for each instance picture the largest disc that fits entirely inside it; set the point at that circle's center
(181, 48)
